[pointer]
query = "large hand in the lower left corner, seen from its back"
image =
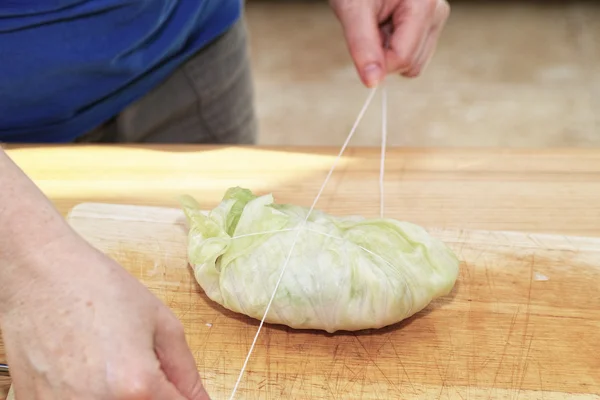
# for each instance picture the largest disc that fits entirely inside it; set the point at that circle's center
(82, 328)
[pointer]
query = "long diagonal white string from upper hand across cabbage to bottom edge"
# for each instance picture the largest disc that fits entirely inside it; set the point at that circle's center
(287, 260)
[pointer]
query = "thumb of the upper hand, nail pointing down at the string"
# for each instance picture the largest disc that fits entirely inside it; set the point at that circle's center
(361, 30)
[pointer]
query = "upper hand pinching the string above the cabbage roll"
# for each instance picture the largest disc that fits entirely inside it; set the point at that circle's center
(413, 26)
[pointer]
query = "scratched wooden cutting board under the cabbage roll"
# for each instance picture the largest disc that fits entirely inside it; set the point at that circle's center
(522, 323)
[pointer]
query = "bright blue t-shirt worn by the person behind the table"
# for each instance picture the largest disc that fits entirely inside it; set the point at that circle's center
(67, 66)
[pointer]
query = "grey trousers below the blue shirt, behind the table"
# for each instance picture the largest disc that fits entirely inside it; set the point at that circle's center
(209, 100)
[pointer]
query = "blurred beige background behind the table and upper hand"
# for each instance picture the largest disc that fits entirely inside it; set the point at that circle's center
(506, 73)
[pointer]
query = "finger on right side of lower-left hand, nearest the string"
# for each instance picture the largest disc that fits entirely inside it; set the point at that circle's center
(177, 360)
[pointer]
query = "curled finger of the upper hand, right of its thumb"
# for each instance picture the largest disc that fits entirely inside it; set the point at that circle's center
(412, 24)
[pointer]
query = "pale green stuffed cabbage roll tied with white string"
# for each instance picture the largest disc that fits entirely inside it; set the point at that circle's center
(345, 273)
